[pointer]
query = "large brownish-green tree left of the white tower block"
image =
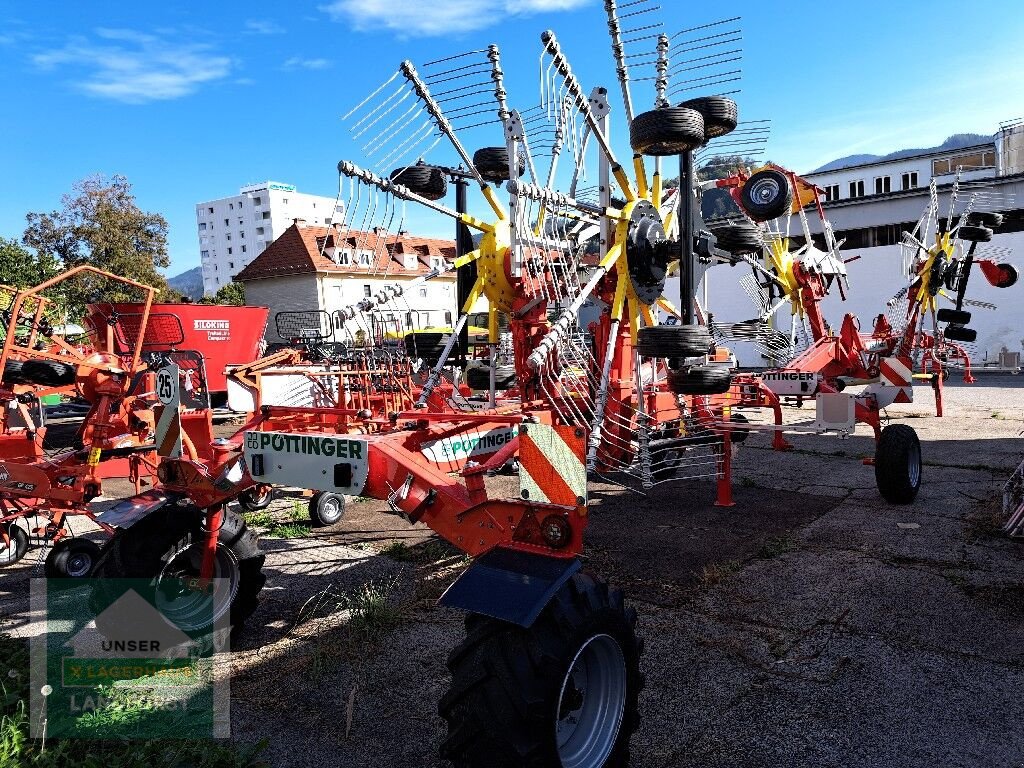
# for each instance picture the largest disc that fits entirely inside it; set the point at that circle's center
(101, 225)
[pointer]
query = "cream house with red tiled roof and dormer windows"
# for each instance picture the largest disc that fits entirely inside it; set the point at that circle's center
(318, 271)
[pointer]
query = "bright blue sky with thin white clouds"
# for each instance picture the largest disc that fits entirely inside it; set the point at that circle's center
(191, 101)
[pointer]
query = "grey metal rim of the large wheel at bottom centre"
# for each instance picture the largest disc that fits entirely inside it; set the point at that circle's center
(591, 705)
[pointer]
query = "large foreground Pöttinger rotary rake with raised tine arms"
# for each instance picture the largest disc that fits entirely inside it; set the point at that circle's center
(548, 674)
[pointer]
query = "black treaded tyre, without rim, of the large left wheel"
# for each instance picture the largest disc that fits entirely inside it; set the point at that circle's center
(144, 551)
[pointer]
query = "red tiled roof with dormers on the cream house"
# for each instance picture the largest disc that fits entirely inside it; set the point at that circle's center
(298, 251)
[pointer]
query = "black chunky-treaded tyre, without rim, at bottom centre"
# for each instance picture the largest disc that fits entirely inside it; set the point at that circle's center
(507, 682)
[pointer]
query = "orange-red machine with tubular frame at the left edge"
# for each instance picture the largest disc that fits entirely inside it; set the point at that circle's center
(51, 487)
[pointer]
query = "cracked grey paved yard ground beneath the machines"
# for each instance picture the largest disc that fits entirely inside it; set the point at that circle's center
(810, 625)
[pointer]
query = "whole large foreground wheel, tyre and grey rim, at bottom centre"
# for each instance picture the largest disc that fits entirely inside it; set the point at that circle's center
(563, 693)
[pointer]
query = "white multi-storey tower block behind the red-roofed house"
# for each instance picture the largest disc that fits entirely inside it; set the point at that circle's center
(235, 231)
